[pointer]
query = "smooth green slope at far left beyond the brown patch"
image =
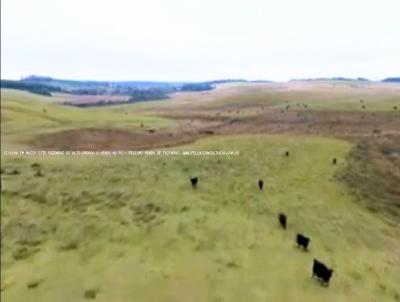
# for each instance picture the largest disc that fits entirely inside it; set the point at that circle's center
(24, 114)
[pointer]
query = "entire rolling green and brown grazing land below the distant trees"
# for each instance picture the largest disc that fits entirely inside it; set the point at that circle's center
(131, 228)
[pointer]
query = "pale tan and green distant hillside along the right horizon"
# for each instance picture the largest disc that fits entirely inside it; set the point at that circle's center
(322, 96)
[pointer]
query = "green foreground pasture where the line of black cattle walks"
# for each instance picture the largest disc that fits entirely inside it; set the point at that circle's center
(133, 229)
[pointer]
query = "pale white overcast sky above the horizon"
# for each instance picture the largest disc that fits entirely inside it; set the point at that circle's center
(200, 40)
